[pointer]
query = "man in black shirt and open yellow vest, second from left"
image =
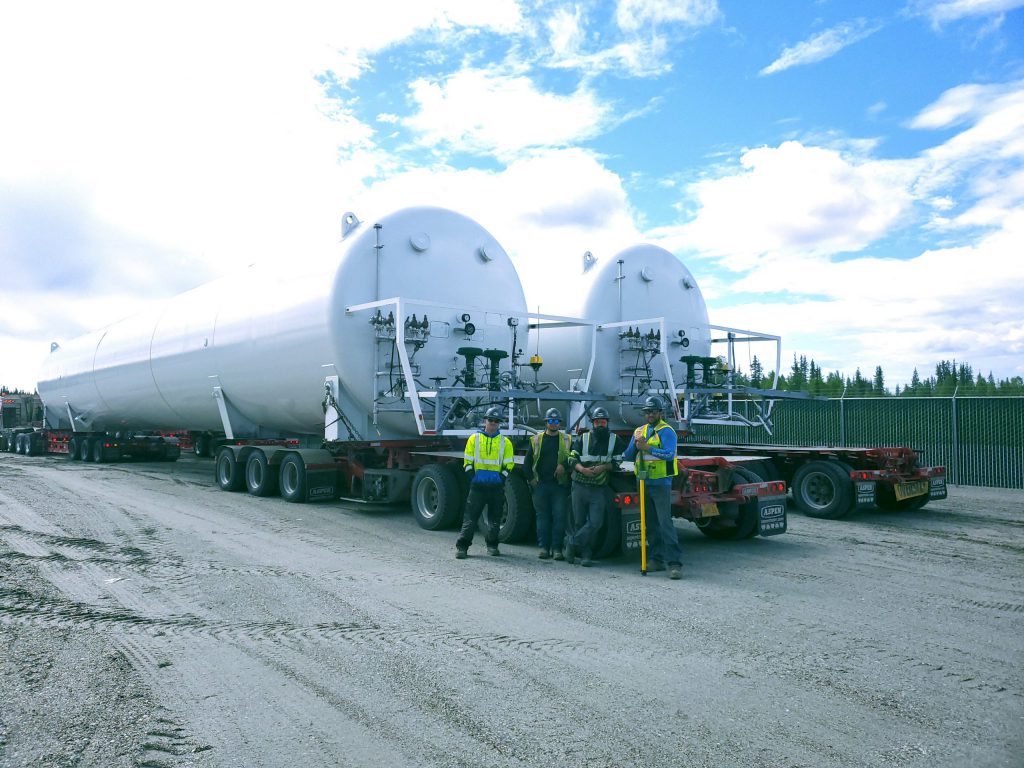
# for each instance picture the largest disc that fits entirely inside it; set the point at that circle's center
(547, 471)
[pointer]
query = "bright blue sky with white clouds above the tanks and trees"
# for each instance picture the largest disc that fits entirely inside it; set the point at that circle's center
(848, 176)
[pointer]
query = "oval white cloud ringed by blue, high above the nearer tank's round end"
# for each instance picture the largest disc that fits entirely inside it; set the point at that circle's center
(489, 112)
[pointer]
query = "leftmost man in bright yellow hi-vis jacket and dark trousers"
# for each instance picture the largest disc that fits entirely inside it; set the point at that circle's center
(488, 461)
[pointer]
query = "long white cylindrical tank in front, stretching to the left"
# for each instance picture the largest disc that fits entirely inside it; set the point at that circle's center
(271, 335)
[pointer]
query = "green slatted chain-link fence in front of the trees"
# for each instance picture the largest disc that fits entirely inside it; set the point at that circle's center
(979, 441)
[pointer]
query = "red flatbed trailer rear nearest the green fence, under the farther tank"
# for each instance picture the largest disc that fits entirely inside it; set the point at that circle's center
(830, 483)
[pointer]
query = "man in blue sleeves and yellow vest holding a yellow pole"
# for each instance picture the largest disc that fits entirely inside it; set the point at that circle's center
(654, 446)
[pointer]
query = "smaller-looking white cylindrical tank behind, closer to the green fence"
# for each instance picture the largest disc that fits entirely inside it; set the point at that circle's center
(641, 283)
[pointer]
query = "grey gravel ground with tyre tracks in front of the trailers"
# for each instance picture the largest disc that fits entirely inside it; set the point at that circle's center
(148, 619)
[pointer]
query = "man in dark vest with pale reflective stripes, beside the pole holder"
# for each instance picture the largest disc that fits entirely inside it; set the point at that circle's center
(592, 460)
